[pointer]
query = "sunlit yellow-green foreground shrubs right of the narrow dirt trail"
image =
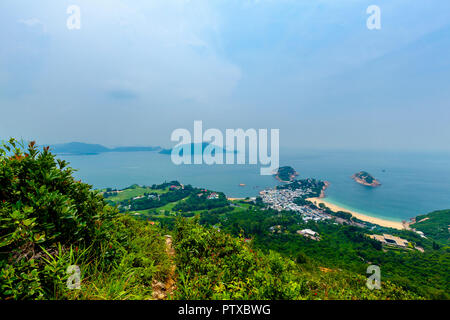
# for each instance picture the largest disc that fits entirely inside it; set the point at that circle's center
(214, 265)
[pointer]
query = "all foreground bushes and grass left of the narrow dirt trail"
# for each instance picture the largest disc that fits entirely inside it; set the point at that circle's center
(49, 222)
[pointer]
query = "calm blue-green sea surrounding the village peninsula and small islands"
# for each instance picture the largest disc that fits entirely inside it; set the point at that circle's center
(412, 183)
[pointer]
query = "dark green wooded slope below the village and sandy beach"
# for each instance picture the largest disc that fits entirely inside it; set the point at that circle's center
(346, 247)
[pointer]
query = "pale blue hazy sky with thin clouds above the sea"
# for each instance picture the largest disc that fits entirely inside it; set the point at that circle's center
(137, 70)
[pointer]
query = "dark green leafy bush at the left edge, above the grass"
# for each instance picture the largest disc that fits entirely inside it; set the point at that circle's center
(42, 204)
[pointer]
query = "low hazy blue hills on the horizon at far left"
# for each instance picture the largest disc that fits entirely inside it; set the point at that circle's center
(79, 148)
